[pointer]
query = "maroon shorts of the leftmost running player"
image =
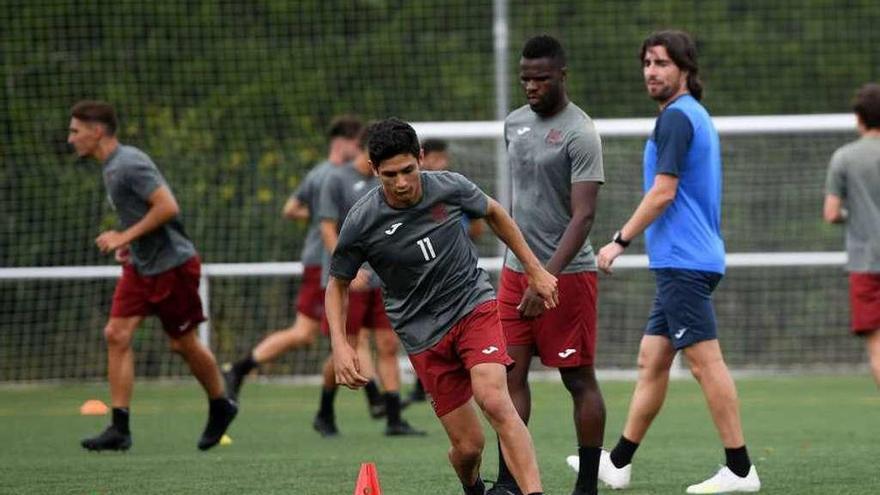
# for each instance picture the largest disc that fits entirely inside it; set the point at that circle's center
(172, 295)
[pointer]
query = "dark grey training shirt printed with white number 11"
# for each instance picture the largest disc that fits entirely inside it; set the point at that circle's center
(426, 261)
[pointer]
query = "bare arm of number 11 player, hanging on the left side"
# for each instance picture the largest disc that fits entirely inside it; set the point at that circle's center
(345, 358)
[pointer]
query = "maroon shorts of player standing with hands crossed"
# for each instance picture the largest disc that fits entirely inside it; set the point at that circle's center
(564, 336)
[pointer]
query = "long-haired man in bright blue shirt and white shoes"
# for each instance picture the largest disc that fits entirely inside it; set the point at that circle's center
(681, 216)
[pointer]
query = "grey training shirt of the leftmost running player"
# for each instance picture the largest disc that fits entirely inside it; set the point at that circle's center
(130, 177)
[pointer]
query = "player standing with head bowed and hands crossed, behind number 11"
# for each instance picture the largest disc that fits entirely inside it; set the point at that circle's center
(555, 157)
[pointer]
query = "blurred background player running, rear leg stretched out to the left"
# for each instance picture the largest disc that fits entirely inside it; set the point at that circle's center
(344, 135)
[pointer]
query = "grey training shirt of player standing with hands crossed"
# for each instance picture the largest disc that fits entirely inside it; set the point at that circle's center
(546, 156)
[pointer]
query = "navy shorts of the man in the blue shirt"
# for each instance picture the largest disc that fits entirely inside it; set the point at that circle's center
(682, 309)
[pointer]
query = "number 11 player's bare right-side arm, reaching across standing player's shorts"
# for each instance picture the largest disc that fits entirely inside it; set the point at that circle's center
(540, 280)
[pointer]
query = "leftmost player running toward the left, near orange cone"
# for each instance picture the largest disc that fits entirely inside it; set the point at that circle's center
(160, 274)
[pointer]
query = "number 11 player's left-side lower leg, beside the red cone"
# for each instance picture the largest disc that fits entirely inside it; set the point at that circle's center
(466, 446)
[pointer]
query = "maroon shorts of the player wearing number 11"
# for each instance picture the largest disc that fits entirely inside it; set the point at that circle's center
(444, 369)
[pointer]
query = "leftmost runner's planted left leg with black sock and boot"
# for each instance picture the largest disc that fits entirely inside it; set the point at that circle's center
(120, 373)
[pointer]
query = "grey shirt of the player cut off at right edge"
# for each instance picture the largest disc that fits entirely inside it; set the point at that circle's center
(854, 176)
